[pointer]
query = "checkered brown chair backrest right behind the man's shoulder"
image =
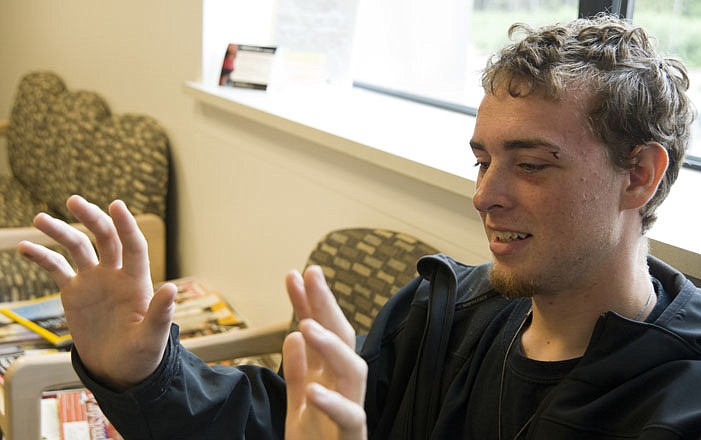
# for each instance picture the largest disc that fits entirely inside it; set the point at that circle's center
(364, 267)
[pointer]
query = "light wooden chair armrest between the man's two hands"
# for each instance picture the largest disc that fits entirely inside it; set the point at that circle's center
(239, 343)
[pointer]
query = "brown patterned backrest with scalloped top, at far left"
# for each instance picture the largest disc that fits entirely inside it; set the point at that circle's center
(63, 142)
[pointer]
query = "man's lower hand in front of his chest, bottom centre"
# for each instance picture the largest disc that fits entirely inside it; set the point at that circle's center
(326, 379)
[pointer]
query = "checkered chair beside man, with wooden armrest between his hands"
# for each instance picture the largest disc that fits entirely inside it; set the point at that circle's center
(362, 266)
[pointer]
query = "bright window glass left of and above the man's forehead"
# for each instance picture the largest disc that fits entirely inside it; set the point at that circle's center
(437, 49)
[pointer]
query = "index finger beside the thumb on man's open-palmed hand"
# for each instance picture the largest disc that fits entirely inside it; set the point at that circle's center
(134, 247)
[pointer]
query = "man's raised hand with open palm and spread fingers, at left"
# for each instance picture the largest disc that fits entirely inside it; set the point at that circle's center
(119, 327)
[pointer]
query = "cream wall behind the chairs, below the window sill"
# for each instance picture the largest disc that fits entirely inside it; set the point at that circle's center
(250, 202)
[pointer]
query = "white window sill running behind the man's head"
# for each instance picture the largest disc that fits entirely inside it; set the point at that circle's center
(425, 143)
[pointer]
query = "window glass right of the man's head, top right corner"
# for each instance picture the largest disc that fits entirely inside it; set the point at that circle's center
(677, 26)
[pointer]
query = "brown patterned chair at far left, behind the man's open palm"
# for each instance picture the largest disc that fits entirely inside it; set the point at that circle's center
(62, 142)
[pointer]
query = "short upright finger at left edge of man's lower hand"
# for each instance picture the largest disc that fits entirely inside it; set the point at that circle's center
(295, 369)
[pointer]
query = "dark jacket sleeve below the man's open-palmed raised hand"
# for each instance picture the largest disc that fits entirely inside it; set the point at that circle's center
(185, 399)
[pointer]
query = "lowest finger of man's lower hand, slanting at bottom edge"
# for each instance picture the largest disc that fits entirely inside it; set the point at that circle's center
(348, 415)
